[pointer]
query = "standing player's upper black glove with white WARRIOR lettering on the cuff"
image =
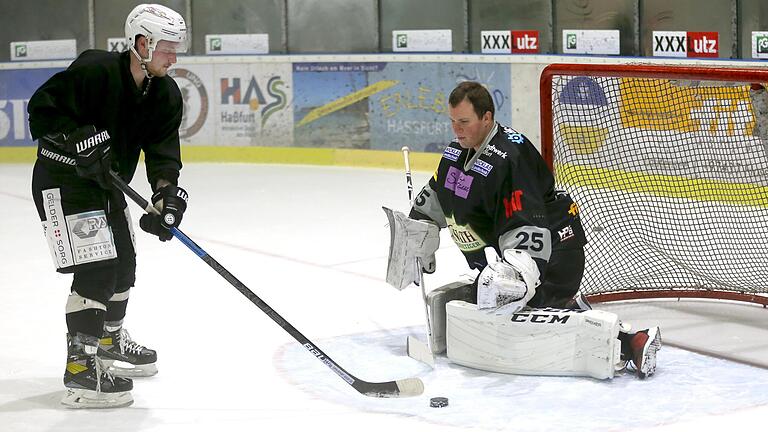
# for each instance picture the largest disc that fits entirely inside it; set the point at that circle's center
(92, 154)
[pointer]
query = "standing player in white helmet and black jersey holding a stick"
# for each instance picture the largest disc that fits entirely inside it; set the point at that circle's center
(98, 115)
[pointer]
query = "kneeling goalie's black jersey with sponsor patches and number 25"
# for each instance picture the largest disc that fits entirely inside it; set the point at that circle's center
(501, 196)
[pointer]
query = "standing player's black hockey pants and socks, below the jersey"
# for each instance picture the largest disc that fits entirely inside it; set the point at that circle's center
(106, 281)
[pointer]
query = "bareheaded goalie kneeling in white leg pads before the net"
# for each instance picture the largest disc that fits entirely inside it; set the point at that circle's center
(496, 195)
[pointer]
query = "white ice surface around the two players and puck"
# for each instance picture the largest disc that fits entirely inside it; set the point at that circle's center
(312, 242)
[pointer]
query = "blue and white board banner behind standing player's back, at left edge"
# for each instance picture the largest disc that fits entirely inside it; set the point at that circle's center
(16, 87)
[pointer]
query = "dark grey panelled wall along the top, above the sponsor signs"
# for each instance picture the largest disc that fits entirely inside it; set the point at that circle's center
(365, 26)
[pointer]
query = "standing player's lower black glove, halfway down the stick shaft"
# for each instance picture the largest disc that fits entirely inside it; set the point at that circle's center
(171, 202)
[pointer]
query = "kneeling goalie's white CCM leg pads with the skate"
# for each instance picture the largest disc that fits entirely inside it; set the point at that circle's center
(538, 341)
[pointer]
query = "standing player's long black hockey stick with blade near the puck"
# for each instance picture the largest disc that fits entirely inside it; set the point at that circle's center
(398, 388)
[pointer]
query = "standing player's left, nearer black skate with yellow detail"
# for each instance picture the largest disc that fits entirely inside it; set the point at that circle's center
(89, 384)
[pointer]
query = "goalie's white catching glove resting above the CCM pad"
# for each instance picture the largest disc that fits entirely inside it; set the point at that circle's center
(507, 285)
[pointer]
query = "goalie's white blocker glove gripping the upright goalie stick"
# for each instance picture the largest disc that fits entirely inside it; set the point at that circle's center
(410, 239)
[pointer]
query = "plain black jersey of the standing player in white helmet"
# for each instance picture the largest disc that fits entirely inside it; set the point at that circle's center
(98, 89)
